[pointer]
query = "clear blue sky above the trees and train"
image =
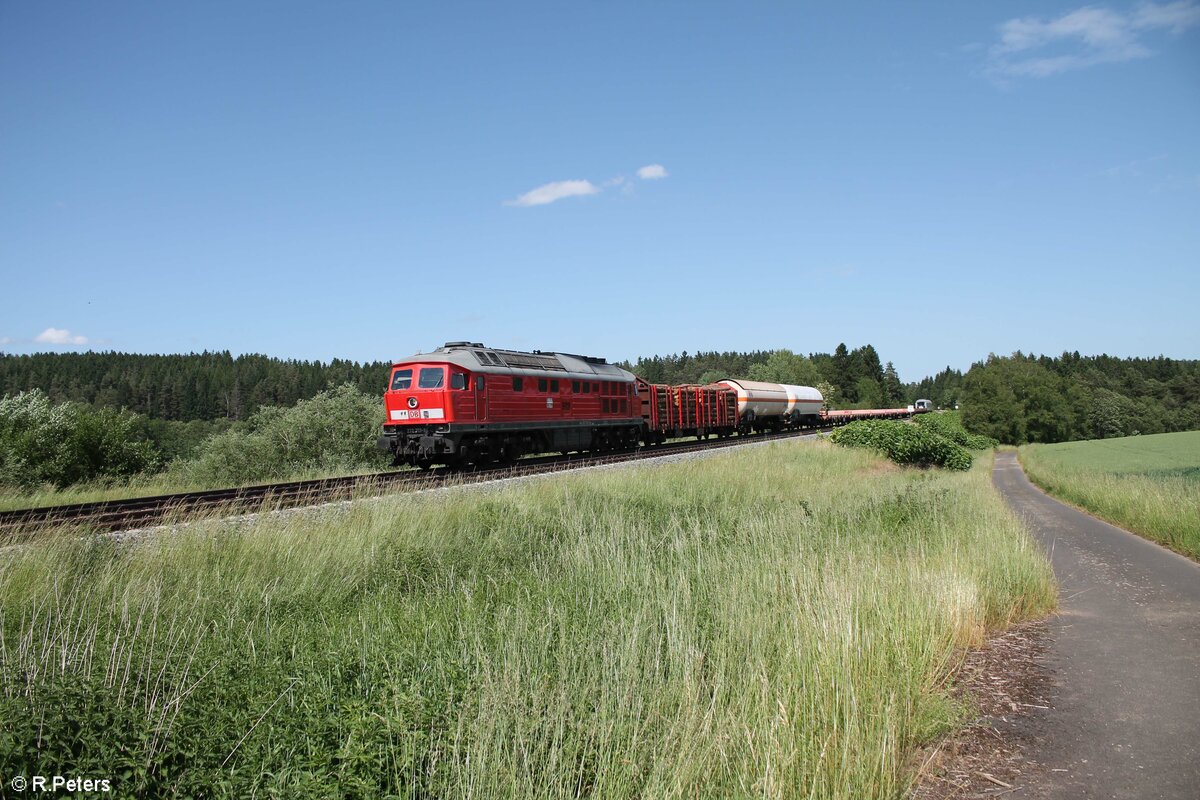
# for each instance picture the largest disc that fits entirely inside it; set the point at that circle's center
(370, 181)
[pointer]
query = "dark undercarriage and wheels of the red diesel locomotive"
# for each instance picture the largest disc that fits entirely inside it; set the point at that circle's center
(459, 446)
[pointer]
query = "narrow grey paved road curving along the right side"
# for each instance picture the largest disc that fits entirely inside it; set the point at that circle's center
(1124, 660)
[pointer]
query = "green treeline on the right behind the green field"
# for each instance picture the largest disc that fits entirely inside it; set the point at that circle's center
(1023, 399)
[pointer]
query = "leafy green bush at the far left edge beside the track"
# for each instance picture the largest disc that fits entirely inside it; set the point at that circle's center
(65, 444)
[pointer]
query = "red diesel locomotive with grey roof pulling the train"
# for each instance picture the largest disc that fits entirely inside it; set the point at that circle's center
(469, 404)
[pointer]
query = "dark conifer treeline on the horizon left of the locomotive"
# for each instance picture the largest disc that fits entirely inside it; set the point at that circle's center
(183, 388)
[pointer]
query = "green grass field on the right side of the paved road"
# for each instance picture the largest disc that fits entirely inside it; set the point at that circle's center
(1149, 485)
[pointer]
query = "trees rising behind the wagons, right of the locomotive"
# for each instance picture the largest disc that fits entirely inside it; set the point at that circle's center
(847, 378)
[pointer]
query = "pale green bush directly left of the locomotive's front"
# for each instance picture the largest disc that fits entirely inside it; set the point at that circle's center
(335, 431)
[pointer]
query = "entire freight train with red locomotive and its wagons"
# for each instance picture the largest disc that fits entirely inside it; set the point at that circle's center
(467, 404)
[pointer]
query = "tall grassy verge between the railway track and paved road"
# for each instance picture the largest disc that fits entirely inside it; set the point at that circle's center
(773, 623)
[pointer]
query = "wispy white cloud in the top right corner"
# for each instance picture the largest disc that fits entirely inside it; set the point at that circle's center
(1090, 37)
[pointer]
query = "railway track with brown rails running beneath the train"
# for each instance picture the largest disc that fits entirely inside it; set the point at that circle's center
(140, 513)
